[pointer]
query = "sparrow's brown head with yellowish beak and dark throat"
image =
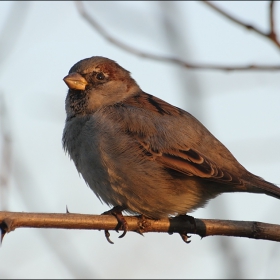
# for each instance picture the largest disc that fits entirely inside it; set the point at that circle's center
(97, 82)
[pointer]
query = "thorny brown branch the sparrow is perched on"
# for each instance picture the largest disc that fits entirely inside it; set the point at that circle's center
(204, 227)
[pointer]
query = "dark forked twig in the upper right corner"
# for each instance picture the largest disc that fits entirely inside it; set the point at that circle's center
(270, 35)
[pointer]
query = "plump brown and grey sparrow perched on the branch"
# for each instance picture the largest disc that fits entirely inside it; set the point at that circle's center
(140, 154)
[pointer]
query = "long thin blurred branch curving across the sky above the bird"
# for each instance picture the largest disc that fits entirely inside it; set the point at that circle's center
(156, 57)
